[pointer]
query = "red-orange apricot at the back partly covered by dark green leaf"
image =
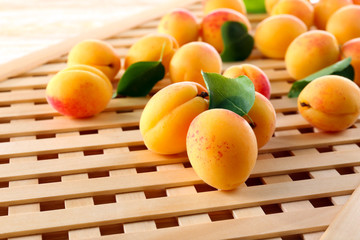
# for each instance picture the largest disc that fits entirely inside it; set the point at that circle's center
(211, 26)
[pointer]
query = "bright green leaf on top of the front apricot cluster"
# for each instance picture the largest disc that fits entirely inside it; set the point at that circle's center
(235, 94)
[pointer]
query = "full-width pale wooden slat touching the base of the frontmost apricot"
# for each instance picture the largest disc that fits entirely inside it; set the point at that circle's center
(179, 205)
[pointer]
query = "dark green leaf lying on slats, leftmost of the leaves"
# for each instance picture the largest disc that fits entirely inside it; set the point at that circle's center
(140, 78)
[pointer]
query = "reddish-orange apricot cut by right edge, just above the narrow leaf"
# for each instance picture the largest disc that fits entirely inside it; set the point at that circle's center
(352, 49)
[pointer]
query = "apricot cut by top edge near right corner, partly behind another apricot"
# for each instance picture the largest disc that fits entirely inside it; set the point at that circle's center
(324, 9)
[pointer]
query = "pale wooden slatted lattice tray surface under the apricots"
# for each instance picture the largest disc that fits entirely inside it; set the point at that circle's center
(93, 178)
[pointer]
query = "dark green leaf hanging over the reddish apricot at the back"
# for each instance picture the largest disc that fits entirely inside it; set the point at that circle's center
(238, 43)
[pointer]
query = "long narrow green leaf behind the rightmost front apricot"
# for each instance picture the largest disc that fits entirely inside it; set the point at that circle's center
(341, 68)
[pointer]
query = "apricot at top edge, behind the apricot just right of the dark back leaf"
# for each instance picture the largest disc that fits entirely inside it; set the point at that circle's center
(298, 8)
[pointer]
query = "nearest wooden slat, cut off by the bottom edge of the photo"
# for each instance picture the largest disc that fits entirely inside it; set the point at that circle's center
(274, 225)
